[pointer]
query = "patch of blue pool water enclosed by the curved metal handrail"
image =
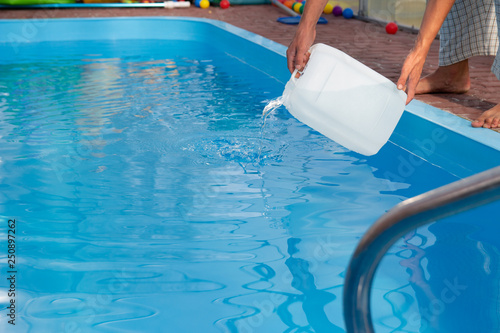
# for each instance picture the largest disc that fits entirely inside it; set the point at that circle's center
(452, 273)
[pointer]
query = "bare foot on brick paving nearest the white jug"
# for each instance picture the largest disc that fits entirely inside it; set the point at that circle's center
(446, 79)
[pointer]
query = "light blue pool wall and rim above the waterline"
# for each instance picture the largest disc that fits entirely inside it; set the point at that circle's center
(437, 136)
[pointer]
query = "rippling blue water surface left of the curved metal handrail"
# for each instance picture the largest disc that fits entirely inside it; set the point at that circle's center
(149, 194)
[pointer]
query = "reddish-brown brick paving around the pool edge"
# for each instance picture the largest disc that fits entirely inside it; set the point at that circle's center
(367, 42)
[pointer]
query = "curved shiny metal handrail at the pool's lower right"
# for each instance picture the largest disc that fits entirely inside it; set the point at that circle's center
(451, 199)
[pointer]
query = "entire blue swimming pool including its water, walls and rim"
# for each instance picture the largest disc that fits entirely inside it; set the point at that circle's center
(148, 193)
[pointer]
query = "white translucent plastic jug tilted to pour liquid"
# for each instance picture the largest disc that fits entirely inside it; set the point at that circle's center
(345, 100)
